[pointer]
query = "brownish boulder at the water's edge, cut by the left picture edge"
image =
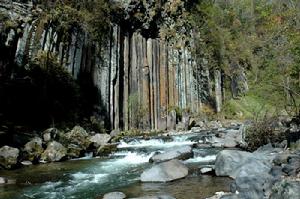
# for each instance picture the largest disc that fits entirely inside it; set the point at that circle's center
(8, 157)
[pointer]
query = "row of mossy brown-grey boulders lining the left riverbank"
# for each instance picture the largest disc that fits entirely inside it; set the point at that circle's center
(53, 146)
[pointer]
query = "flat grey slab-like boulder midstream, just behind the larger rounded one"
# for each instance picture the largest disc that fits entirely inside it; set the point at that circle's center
(181, 153)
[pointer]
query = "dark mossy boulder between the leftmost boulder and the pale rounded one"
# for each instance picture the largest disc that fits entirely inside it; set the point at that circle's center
(33, 149)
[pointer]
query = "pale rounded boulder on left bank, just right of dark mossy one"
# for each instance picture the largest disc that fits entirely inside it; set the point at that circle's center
(54, 152)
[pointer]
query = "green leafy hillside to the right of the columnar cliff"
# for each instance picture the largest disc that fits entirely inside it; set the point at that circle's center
(261, 38)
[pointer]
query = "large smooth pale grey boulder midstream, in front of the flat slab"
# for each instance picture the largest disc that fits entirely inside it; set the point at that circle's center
(165, 172)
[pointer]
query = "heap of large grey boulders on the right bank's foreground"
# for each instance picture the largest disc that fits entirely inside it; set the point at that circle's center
(267, 172)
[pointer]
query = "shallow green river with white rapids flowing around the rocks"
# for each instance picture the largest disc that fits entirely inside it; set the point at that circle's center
(92, 177)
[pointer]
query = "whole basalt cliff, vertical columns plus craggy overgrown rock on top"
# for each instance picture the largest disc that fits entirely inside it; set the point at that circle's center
(139, 75)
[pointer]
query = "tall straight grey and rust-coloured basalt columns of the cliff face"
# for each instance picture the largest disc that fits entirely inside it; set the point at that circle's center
(139, 79)
